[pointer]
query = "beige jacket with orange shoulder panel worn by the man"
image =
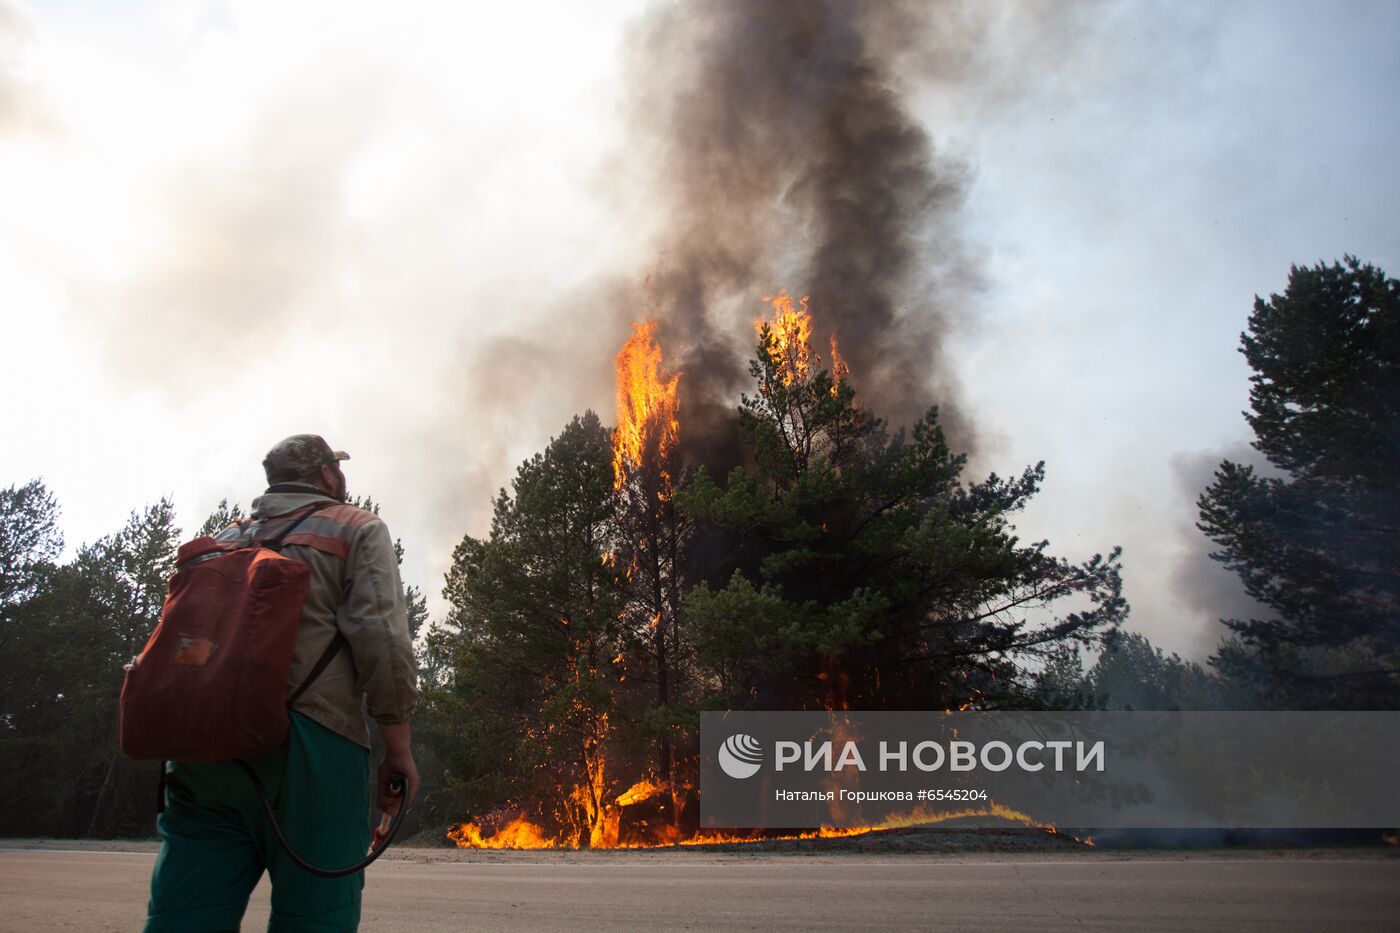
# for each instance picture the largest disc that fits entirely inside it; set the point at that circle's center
(356, 590)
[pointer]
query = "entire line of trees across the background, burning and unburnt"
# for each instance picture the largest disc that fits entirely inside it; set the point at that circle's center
(625, 586)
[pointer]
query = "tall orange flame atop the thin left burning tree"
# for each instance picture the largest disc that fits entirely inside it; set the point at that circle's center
(647, 407)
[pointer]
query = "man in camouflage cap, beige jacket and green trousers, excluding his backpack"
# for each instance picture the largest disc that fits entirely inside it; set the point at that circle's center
(355, 630)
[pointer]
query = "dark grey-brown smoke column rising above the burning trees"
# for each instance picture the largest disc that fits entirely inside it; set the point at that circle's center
(787, 159)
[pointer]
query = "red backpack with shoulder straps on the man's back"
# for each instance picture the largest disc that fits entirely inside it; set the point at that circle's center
(212, 682)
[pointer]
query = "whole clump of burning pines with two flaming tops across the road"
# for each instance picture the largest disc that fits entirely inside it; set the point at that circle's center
(848, 568)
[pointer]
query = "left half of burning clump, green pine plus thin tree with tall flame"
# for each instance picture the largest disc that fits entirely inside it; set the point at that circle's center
(568, 648)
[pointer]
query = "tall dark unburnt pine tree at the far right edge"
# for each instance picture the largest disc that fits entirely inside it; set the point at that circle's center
(1319, 543)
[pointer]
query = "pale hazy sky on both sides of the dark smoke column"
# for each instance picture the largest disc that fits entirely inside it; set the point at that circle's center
(422, 230)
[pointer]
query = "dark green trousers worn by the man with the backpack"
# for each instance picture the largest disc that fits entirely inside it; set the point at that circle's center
(218, 841)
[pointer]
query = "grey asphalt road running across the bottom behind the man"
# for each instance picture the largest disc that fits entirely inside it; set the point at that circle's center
(48, 890)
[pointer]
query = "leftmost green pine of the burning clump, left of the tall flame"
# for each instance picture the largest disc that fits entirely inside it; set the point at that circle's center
(533, 641)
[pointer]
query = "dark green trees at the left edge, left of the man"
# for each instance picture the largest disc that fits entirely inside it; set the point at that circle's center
(66, 645)
